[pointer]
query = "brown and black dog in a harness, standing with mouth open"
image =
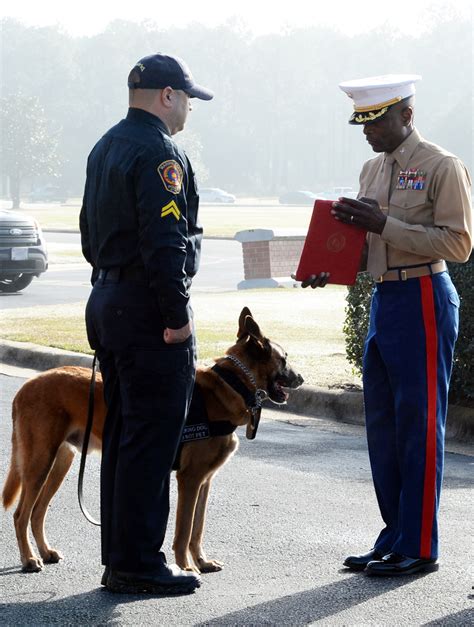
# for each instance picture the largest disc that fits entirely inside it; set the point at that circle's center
(49, 417)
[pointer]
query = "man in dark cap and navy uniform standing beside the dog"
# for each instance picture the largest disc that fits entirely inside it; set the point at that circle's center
(140, 232)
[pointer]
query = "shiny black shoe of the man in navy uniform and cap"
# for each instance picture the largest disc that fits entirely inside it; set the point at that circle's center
(168, 580)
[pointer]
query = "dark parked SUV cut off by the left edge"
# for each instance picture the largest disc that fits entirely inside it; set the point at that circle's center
(23, 252)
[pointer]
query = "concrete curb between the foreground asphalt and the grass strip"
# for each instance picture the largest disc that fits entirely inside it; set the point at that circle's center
(339, 405)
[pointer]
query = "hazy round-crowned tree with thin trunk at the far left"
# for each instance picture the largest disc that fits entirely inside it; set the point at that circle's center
(29, 147)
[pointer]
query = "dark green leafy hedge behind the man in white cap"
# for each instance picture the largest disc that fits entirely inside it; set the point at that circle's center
(357, 320)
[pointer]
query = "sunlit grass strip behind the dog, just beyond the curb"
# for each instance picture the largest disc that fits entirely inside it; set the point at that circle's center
(308, 324)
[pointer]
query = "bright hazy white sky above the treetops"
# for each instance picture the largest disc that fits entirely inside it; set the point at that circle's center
(88, 17)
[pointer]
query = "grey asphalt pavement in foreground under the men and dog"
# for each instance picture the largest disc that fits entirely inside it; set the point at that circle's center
(283, 513)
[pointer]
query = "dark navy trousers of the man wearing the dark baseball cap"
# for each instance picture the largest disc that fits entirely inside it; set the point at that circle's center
(148, 387)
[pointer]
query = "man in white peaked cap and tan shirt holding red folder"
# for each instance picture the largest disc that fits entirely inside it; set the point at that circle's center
(414, 201)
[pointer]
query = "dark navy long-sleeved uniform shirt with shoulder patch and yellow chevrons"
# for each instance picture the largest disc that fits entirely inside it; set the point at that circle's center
(140, 209)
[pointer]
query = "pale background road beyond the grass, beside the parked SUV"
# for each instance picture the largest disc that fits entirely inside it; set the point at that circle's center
(221, 270)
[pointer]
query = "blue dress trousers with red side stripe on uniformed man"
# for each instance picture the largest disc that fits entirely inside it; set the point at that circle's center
(407, 366)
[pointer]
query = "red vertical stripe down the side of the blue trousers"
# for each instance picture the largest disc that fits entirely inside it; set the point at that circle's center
(429, 490)
